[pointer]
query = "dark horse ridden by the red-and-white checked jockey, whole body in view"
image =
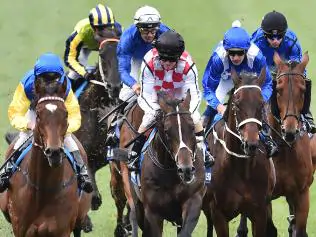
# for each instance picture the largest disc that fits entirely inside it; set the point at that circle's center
(172, 173)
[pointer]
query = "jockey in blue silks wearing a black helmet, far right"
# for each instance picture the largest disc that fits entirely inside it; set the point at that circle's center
(274, 36)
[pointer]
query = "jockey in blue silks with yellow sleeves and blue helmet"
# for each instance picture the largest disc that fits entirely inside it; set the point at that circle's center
(22, 117)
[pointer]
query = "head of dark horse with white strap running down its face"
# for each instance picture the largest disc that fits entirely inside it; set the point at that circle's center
(176, 130)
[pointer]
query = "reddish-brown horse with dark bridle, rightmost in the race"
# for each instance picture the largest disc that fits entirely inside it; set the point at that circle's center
(293, 164)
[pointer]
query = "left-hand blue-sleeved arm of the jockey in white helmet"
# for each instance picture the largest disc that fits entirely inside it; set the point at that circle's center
(124, 55)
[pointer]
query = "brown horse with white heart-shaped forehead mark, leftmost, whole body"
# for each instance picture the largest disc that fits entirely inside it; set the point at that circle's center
(43, 198)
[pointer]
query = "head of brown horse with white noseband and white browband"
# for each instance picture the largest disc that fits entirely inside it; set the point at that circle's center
(247, 106)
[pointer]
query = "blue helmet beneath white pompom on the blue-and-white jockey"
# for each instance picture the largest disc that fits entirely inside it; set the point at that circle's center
(236, 37)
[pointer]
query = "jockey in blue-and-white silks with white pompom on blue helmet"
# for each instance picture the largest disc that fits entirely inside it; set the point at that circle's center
(235, 51)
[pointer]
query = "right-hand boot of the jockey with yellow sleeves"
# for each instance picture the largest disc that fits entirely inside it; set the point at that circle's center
(84, 181)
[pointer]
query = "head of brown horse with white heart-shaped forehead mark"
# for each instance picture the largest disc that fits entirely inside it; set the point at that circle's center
(51, 120)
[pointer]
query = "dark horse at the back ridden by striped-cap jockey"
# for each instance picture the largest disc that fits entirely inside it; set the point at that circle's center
(99, 98)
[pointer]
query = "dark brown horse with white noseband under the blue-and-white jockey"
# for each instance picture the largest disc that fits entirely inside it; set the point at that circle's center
(242, 180)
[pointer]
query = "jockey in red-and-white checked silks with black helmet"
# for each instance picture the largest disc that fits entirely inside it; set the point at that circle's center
(168, 67)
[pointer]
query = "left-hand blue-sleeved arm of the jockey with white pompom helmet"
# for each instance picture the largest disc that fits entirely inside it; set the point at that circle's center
(211, 79)
